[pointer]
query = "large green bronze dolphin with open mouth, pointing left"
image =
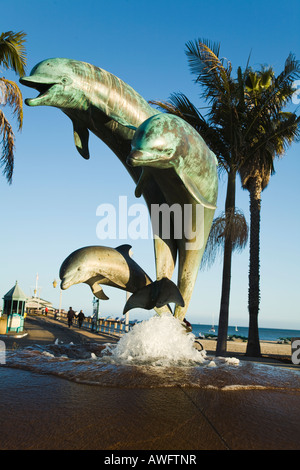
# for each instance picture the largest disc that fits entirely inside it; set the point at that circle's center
(98, 101)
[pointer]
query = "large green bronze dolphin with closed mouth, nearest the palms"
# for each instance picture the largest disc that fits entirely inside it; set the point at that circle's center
(188, 177)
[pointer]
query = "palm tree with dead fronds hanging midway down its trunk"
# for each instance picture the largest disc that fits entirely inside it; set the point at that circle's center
(220, 129)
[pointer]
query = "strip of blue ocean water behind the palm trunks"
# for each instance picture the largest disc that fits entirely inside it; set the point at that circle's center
(265, 334)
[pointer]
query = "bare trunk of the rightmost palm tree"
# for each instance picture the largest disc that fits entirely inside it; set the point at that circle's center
(253, 346)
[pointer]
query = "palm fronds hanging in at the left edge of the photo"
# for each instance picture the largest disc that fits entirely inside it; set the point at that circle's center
(12, 56)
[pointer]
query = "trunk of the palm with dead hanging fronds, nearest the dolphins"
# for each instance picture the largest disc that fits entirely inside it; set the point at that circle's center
(226, 277)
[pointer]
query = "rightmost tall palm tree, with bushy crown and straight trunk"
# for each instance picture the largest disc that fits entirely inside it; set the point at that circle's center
(270, 131)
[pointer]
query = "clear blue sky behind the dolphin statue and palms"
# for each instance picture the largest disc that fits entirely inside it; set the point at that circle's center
(50, 209)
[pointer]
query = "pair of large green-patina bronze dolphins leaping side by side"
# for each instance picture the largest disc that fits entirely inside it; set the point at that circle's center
(97, 101)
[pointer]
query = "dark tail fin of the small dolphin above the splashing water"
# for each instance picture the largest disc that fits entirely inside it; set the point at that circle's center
(157, 294)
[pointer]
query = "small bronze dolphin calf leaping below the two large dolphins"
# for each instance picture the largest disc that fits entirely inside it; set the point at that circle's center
(95, 265)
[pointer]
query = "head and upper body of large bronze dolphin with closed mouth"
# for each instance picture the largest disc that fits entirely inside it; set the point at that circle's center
(166, 141)
